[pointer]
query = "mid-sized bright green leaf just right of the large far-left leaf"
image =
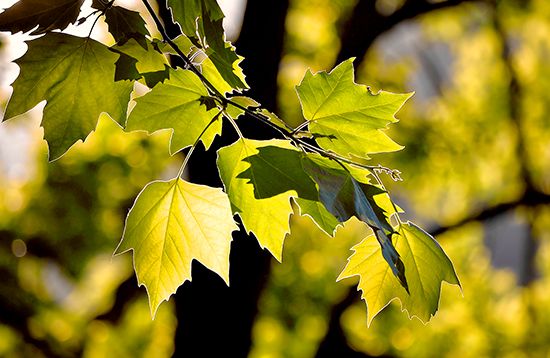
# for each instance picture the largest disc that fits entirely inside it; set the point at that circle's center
(176, 104)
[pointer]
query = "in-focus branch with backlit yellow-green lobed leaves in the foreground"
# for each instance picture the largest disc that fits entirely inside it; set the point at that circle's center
(319, 165)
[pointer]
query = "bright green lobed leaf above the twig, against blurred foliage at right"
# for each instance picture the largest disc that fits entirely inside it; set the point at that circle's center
(345, 117)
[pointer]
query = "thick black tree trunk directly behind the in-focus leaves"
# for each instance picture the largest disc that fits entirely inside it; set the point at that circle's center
(215, 320)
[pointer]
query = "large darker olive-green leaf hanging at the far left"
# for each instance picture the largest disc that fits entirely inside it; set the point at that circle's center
(75, 76)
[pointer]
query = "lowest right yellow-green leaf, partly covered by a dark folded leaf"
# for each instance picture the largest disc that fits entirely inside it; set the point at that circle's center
(426, 266)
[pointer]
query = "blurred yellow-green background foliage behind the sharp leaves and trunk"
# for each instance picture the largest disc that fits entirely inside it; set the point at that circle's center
(476, 172)
